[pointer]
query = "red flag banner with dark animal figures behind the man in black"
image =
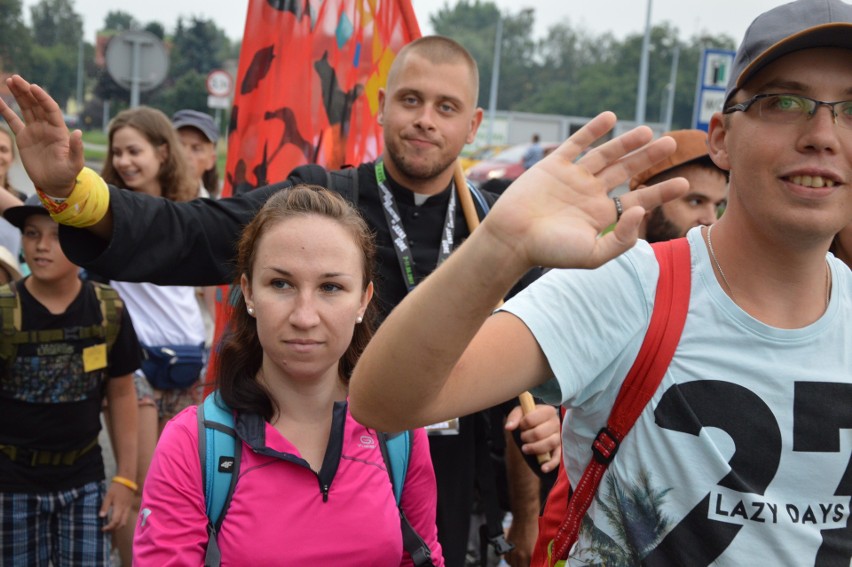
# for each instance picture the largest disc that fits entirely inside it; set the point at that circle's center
(307, 90)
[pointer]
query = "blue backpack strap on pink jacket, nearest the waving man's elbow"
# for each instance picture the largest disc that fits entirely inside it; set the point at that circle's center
(396, 451)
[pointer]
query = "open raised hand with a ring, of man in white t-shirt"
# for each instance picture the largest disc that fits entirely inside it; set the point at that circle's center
(553, 214)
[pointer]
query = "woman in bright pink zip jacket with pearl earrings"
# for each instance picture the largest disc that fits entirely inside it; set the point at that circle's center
(312, 487)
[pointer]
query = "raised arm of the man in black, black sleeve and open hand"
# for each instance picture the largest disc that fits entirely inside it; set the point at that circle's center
(141, 238)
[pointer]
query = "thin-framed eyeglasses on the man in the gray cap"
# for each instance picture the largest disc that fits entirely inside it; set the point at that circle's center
(787, 108)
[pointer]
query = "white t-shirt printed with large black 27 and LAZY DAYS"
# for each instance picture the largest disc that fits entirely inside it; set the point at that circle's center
(742, 457)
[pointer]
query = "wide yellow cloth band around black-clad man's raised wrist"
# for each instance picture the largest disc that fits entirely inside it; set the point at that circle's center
(87, 204)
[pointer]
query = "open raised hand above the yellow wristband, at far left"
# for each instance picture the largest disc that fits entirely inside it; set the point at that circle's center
(51, 156)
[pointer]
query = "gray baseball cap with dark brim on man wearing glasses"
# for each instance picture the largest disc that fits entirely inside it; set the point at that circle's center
(798, 25)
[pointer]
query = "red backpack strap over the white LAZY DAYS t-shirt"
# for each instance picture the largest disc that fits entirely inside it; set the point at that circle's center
(667, 320)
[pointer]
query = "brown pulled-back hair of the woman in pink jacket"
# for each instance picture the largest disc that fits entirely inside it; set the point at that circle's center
(241, 353)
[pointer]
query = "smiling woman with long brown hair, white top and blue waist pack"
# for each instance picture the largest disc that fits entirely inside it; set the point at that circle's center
(144, 155)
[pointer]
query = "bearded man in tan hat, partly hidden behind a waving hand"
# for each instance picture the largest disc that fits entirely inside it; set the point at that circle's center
(708, 188)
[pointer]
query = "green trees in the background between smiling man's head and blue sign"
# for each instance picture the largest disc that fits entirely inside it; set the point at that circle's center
(570, 71)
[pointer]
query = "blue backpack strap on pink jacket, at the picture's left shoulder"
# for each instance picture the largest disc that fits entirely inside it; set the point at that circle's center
(219, 456)
